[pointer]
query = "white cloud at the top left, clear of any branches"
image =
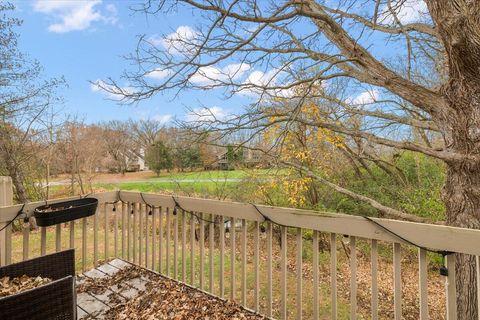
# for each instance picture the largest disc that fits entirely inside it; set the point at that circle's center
(75, 15)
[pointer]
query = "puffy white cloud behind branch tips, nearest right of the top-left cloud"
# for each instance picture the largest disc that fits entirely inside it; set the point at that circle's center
(182, 41)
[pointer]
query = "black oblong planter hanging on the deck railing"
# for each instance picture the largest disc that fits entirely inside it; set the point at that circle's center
(51, 214)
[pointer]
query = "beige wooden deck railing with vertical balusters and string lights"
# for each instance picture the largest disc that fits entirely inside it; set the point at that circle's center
(266, 258)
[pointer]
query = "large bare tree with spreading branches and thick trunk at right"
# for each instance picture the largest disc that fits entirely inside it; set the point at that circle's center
(312, 44)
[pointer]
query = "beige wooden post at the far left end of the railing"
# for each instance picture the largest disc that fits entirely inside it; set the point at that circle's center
(6, 199)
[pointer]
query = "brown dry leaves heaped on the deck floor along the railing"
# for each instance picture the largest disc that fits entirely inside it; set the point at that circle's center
(166, 299)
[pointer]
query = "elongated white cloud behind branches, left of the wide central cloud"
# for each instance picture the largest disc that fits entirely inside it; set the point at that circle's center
(211, 75)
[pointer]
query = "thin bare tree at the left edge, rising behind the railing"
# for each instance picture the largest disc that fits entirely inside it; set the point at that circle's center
(25, 98)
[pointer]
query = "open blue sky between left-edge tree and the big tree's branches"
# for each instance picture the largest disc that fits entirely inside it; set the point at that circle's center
(85, 41)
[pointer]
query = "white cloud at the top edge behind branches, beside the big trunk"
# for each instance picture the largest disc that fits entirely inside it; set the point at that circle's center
(407, 11)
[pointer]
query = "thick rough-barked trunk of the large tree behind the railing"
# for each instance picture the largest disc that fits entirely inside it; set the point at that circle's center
(458, 24)
